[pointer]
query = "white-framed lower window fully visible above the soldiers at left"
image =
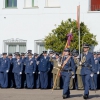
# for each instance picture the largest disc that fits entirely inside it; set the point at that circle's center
(11, 45)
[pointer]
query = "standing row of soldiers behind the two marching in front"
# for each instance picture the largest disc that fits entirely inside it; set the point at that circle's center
(40, 71)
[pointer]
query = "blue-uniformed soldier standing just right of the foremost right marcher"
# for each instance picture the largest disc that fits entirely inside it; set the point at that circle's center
(93, 80)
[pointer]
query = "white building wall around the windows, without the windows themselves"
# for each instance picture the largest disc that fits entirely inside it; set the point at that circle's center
(36, 23)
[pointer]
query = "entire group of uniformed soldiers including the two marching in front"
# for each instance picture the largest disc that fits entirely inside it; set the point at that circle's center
(65, 71)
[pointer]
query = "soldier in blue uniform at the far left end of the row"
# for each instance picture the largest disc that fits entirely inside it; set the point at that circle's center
(4, 69)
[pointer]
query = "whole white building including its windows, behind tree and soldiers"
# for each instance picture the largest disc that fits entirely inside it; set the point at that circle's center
(25, 23)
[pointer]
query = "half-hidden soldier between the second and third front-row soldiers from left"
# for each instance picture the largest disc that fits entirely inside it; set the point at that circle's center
(23, 72)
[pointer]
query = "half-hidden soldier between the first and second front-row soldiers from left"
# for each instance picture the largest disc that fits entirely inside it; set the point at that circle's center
(10, 74)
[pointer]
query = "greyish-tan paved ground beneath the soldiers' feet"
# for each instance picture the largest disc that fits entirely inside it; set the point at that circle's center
(24, 94)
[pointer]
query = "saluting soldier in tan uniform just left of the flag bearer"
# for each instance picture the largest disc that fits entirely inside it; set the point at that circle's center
(56, 67)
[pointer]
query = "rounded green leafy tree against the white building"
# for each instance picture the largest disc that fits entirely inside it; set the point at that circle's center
(56, 40)
